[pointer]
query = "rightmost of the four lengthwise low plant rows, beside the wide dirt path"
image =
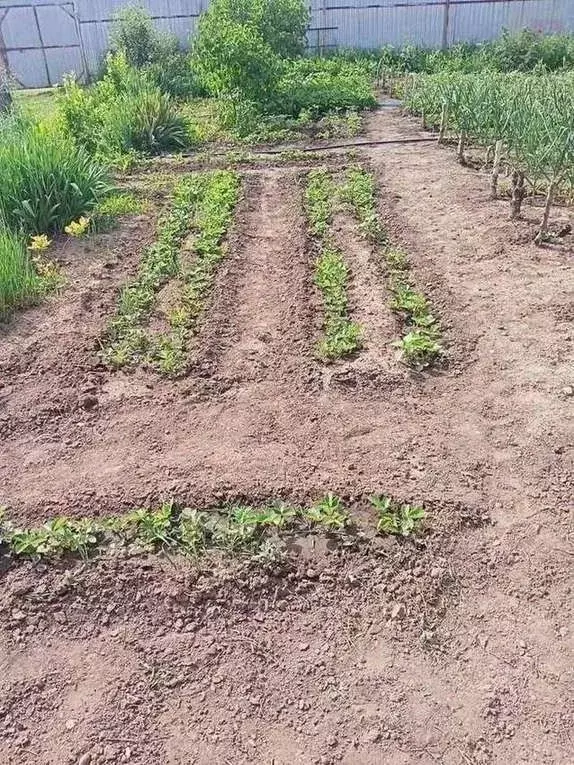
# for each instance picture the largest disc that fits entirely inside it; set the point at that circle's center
(421, 341)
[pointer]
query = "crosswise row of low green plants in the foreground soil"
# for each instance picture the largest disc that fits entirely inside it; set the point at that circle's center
(238, 530)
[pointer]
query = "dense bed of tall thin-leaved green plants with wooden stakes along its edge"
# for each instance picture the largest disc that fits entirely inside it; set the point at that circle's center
(525, 121)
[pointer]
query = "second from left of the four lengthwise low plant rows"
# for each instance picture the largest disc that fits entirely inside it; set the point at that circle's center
(215, 195)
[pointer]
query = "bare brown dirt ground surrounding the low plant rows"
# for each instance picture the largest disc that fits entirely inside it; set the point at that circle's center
(454, 650)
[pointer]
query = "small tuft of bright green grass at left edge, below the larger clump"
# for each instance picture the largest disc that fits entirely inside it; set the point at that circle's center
(18, 279)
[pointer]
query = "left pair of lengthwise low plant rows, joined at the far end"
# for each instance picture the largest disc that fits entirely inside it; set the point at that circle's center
(202, 203)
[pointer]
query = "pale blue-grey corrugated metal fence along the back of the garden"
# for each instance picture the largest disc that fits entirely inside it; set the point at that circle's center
(40, 40)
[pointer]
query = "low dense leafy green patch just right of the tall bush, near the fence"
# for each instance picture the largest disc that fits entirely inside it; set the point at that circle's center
(321, 85)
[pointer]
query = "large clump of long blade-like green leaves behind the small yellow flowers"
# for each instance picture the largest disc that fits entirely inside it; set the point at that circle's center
(47, 180)
